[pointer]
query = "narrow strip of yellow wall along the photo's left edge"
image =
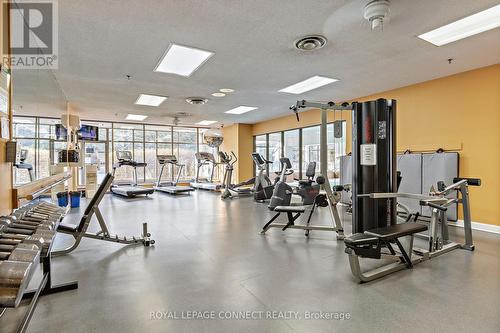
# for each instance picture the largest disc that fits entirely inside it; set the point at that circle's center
(5, 168)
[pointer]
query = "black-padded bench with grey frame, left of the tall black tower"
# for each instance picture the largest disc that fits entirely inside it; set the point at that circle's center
(293, 213)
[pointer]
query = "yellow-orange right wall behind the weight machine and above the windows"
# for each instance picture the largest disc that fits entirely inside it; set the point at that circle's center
(459, 112)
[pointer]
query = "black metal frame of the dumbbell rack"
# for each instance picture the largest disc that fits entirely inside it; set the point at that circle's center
(45, 286)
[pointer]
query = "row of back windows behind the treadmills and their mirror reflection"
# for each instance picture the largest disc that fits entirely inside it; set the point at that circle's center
(145, 142)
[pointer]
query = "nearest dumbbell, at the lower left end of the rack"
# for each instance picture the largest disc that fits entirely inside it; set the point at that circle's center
(14, 279)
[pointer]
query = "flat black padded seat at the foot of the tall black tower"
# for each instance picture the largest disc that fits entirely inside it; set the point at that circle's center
(370, 243)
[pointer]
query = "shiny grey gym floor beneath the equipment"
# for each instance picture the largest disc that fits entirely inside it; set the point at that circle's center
(209, 256)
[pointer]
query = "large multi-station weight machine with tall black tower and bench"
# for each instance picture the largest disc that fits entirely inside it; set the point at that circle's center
(376, 231)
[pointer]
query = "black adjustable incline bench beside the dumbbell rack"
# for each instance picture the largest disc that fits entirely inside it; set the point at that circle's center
(80, 230)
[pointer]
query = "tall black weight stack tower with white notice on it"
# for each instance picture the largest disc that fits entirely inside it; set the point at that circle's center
(373, 164)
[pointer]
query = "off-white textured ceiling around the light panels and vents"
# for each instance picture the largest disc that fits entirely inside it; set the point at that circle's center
(102, 41)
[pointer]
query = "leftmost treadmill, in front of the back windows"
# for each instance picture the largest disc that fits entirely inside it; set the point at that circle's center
(129, 190)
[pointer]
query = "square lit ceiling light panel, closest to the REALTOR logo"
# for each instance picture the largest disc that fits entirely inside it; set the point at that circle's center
(182, 60)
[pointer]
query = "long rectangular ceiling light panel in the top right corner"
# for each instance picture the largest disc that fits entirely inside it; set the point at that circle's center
(468, 26)
